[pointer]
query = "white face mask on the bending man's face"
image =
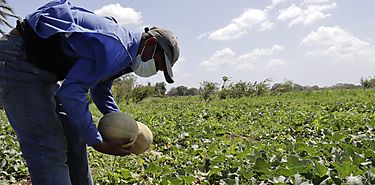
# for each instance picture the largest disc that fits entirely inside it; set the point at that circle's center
(144, 69)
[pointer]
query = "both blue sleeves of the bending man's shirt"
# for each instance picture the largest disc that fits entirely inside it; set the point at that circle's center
(99, 57)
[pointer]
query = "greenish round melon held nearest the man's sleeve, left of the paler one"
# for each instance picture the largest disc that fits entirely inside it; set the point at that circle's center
(118, 125)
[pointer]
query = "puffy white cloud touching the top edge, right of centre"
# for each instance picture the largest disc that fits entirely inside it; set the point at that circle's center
(307, 12)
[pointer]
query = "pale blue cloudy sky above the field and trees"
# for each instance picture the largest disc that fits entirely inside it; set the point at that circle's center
(311, 42)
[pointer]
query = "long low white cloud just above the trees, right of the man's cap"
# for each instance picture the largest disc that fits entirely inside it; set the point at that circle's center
(227, 58)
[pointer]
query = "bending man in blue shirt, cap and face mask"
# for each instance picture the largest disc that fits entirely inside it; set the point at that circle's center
(57, 42)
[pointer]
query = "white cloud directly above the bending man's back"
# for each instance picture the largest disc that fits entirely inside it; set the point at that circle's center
(122, 15)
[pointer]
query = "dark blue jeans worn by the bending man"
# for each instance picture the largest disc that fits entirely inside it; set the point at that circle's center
(54, 151)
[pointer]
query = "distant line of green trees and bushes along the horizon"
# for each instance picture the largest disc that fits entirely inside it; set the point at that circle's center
(125, 89)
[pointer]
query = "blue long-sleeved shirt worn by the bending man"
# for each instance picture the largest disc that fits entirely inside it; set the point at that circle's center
(101, 49)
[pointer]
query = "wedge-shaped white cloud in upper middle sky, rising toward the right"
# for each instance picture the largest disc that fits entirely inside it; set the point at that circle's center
(240, 26)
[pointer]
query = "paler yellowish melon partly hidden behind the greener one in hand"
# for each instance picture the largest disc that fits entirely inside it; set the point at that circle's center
(143, 141)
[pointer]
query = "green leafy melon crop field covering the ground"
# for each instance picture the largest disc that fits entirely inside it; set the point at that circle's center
(317, 137)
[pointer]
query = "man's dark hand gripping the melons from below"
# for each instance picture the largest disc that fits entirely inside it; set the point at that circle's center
(113, 147)
